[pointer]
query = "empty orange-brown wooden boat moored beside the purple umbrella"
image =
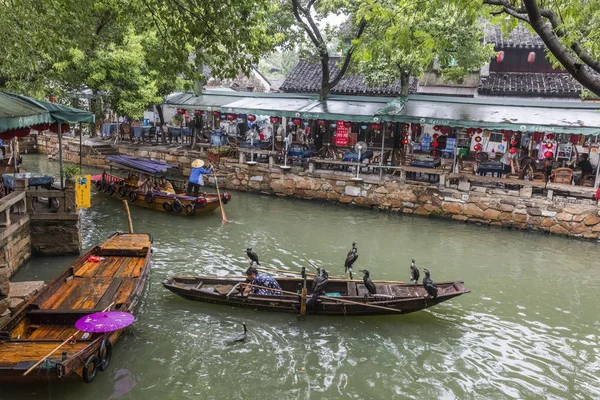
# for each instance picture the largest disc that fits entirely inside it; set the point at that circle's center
(85, 287)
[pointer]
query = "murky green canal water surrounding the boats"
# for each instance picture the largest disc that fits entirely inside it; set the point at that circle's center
(528, 330)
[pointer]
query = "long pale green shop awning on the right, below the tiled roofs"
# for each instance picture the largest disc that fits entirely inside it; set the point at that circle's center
(518, 115)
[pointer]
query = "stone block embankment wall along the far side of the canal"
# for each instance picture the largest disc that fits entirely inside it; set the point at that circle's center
(527, 208)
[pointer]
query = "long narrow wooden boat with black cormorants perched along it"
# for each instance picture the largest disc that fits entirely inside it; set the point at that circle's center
(391, 298)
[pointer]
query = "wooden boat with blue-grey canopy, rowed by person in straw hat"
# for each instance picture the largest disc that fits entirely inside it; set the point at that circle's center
(178, 203)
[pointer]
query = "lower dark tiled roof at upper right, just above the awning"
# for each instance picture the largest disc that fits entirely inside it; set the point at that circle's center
(530, 84)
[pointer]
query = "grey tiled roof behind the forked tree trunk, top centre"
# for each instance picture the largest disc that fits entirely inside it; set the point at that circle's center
(306, 78)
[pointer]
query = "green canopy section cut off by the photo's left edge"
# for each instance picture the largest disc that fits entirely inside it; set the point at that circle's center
(16, 113)
